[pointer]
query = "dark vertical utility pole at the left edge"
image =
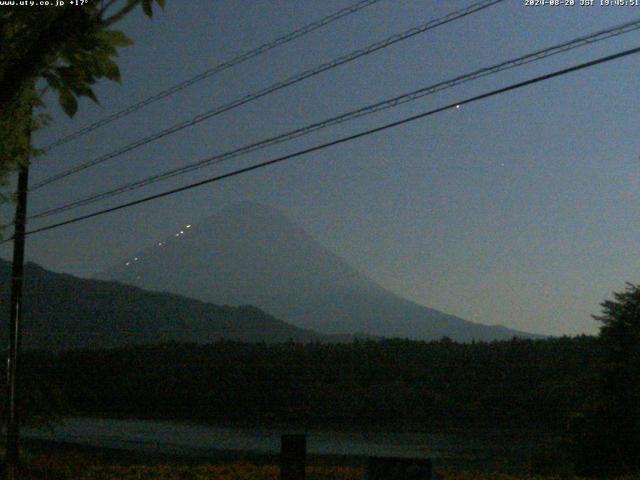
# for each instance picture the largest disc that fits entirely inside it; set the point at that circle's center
(15, 324)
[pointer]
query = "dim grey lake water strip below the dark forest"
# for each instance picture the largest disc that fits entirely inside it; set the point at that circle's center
(191, 439)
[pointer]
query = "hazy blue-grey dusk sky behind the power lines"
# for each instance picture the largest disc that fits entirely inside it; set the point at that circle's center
(520, 210)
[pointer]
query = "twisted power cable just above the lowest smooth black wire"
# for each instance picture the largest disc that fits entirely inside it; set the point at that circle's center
(367, 110)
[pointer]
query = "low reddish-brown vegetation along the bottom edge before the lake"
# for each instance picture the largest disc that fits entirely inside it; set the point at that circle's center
(57, 461)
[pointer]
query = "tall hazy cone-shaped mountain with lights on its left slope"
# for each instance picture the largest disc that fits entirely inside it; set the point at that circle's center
(252, 254)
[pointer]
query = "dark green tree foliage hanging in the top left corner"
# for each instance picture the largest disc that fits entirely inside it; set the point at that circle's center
(70, 48)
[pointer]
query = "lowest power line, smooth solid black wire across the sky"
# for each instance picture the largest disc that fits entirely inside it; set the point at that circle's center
(349, 138)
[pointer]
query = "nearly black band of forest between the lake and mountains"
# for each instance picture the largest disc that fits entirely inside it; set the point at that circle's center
(404, 384)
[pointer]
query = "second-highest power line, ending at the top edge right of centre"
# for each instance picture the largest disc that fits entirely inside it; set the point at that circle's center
(273, 88)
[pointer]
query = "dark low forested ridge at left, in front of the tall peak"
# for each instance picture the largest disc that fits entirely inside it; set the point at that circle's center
(64, 312)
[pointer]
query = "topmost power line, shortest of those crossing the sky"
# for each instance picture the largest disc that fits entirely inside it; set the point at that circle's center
(213, 71)
